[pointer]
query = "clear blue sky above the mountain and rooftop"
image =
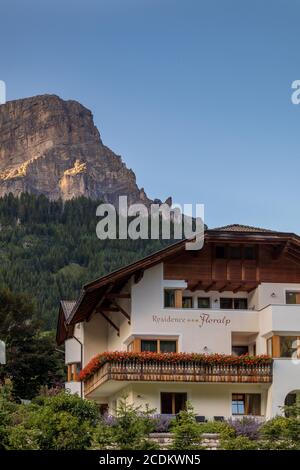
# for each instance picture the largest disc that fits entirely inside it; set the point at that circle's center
(194, 94)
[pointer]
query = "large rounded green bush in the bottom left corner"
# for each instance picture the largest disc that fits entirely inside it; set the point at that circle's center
(63, 422)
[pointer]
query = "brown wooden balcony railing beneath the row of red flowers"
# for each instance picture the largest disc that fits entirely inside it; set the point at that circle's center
(132, 370)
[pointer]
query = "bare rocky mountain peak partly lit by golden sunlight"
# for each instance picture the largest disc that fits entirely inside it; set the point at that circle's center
(50, 146)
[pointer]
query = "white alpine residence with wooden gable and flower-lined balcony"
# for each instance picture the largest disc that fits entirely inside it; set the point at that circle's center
(237, 297)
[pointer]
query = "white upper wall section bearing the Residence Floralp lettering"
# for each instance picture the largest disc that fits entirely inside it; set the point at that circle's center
(196, 329)
